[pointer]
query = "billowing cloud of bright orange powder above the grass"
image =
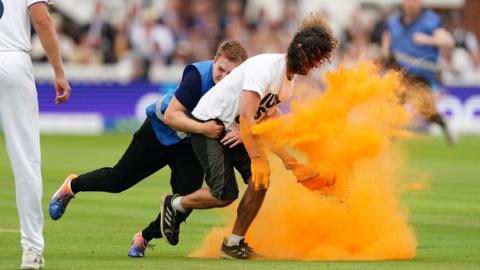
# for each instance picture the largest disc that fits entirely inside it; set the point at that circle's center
(347, 133)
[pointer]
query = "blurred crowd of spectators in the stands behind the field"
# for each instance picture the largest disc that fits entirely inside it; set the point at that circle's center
(186, 31)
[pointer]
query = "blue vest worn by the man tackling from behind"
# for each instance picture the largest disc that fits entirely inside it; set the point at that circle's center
(155, 112)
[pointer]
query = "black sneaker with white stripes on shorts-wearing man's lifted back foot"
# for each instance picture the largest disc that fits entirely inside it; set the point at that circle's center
(169, 226)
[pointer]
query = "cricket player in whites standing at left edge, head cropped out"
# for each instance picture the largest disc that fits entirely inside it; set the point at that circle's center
(19, 112)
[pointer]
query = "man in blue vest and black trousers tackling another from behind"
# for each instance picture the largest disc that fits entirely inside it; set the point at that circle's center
(155, 145)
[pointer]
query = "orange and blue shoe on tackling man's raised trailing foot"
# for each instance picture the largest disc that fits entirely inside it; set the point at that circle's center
(61, 198)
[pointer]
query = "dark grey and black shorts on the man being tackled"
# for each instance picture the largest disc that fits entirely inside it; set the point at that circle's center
(218, 161)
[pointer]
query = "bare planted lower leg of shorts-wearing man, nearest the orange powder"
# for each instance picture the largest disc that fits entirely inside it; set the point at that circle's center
(248, 208)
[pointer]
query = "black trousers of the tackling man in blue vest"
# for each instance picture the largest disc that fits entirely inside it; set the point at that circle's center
(144, 156)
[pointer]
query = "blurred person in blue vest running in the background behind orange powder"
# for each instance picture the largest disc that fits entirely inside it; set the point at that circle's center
(412, 41)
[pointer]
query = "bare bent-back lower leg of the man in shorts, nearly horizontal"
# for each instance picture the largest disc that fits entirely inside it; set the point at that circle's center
(202, 199)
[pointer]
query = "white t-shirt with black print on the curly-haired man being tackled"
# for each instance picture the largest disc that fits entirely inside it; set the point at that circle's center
(264, 74)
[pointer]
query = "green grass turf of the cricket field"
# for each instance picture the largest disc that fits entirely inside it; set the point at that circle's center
(96, 231)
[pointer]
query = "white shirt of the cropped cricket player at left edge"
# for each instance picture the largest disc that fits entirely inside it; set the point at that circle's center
(15, 25)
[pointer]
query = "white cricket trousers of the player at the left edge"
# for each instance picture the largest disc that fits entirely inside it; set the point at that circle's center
(19, 120)
